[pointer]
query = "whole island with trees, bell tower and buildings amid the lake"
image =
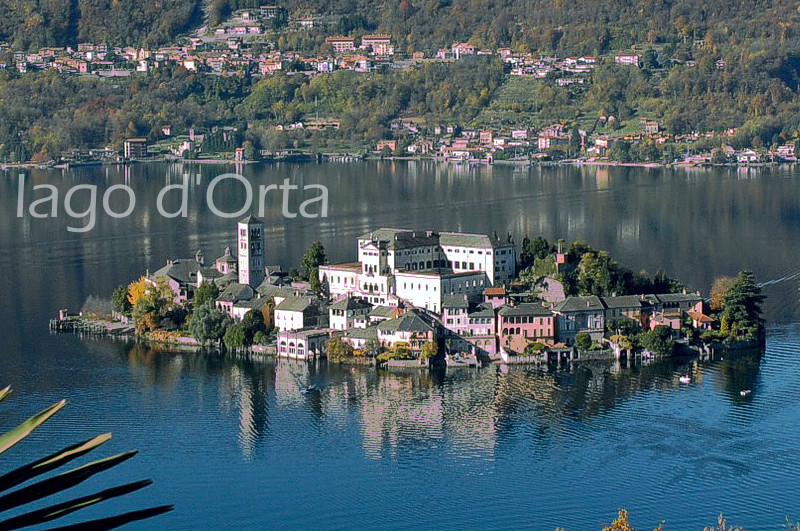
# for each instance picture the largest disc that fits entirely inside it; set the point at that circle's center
(423, 298)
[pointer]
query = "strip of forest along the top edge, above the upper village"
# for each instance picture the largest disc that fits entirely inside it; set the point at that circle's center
(533, 25)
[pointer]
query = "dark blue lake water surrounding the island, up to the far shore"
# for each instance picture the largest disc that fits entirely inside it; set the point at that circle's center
(234, 444)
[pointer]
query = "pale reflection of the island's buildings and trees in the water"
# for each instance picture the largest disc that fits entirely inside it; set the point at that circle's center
(461, 411)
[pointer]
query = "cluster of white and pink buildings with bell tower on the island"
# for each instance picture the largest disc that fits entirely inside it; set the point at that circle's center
(412, 294)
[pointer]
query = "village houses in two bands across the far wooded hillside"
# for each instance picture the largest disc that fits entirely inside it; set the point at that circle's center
(245, 46)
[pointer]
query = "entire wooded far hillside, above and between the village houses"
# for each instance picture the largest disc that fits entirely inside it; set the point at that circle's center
(706, 67)
